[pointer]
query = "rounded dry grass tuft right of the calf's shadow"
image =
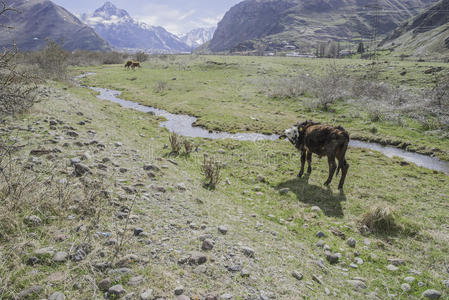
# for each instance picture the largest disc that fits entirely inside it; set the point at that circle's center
(381, 218)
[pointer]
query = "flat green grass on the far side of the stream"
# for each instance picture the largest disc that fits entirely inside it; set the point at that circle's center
(225, 93)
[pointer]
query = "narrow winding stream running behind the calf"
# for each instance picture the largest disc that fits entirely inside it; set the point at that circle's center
(183, 125)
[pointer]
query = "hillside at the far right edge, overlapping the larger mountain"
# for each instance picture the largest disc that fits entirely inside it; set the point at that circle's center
(426, 35)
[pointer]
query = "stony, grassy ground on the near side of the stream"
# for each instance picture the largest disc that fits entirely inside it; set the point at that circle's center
(137, 222)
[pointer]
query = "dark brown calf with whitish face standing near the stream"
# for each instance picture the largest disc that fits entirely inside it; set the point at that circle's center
(324, 140)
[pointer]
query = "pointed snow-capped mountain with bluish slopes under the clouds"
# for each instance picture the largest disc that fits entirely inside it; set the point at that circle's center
(118, 28)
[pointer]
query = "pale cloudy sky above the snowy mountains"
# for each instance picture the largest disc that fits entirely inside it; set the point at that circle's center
(177, 16)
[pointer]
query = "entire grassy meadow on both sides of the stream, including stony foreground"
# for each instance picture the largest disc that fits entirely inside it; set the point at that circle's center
(259, 198)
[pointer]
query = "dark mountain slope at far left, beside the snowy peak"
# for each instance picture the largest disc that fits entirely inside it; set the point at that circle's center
(42, 19)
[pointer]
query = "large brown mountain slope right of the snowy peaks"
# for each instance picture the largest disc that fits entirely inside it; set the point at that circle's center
(302, 23)
